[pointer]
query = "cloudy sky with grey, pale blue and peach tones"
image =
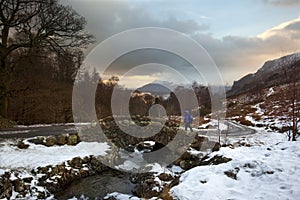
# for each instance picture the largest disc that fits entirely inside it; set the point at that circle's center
(238, 35)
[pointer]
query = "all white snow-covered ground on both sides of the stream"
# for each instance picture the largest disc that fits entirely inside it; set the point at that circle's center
(268, 169)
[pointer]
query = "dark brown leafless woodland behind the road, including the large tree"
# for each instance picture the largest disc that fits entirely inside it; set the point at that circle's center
(41, 49)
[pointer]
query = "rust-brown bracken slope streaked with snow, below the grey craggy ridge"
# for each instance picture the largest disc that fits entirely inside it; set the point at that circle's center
(271, 107)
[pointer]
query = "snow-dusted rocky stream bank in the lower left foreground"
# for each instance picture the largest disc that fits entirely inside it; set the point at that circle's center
(48, 180)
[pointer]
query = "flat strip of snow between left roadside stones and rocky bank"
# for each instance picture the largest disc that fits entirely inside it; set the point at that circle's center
(11, 157)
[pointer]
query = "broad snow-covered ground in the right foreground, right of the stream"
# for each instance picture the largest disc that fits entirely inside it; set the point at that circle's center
(269, 171)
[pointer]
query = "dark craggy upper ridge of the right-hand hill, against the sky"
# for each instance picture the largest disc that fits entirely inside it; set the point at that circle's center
(274, 72)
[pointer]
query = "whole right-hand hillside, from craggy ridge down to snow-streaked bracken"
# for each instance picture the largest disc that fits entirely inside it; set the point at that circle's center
(270, 98)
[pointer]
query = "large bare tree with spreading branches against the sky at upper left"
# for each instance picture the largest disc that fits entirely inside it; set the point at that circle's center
(26, 24)
